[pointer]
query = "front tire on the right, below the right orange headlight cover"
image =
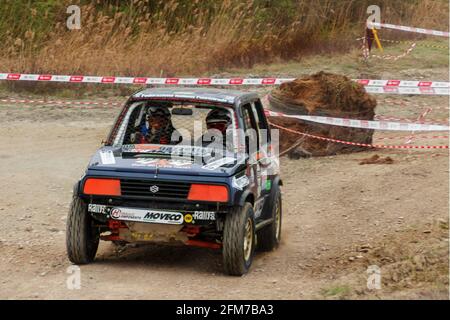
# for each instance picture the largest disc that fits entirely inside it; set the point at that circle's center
(234, 233)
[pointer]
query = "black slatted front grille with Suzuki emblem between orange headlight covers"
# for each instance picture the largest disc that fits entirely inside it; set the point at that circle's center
(154, 189)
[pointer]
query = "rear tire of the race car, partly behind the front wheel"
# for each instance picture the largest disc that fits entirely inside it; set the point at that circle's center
(268, 239)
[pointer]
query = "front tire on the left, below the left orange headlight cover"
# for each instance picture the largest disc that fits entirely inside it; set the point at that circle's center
(81, 237)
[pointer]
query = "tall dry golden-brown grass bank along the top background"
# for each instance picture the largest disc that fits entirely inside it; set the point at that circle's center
(147, 37)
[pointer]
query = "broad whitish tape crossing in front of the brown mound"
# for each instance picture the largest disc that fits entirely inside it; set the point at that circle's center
(363, 124)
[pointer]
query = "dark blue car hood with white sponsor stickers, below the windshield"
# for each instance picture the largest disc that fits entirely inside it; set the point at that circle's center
(125, 160)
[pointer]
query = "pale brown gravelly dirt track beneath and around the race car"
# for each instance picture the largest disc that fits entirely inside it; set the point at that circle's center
(332, 206)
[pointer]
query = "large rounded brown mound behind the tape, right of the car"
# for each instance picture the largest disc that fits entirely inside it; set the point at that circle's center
(321, 94)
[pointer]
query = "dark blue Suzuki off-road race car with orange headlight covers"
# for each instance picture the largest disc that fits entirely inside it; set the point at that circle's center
(163, 177)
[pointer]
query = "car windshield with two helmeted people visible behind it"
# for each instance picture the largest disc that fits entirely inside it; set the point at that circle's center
(163, 127)
